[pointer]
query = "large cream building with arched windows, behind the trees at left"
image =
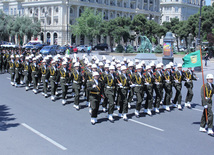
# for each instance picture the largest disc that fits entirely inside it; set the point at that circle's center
(54, 19)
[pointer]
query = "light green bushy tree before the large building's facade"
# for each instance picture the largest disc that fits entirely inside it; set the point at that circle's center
(87, 24)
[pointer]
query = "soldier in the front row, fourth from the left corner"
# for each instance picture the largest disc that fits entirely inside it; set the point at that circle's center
(138, 85)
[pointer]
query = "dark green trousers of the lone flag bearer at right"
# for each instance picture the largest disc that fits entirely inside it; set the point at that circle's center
(210, 118)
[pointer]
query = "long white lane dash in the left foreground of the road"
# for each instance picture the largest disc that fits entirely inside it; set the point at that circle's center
(45, 137)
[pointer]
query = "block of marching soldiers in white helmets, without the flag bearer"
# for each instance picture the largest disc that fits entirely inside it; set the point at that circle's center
(109, 82)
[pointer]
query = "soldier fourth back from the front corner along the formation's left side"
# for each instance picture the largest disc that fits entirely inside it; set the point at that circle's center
(53, 72)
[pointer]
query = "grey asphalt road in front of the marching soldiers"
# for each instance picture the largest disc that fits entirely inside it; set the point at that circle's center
(32, 124)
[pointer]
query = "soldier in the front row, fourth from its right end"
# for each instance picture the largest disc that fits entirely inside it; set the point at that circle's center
(158, 87)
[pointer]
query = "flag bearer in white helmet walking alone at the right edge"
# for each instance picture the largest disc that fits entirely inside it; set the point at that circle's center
(207, 91)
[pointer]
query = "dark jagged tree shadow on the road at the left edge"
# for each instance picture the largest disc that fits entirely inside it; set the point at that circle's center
(5, 117)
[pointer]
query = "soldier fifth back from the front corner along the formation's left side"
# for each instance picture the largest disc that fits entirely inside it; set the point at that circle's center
(44, 71)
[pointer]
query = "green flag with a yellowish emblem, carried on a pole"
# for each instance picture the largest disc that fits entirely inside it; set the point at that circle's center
(192, 59)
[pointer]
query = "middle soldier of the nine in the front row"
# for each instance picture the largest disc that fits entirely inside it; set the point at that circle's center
(149, 80)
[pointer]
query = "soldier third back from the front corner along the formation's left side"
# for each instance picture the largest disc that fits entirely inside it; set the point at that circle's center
(64, 80)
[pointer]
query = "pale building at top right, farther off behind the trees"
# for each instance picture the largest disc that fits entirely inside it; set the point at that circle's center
(181, 9)
